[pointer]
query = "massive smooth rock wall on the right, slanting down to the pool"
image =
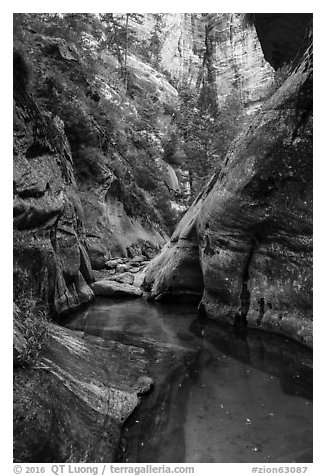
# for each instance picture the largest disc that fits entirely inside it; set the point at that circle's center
(250, 231)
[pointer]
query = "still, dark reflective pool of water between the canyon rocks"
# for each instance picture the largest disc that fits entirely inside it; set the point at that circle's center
(241, 398)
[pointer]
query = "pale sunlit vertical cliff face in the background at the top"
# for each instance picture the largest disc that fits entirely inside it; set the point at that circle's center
(216, 49)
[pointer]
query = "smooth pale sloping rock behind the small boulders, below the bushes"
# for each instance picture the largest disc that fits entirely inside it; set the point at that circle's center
(110, 230)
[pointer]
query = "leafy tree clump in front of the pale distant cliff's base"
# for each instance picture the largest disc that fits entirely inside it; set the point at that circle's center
(203, 132)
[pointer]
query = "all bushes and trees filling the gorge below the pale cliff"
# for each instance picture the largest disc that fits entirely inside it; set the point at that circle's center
(112, 124)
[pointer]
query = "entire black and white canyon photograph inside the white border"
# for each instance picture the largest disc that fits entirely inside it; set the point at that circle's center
(162, 241)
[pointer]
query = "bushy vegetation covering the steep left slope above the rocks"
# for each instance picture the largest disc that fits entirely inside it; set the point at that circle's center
(110, 128)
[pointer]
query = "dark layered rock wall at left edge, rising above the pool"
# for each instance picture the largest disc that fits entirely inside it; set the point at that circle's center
(50, 252)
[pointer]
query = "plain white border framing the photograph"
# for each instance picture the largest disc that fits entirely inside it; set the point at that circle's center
(318, 8)
